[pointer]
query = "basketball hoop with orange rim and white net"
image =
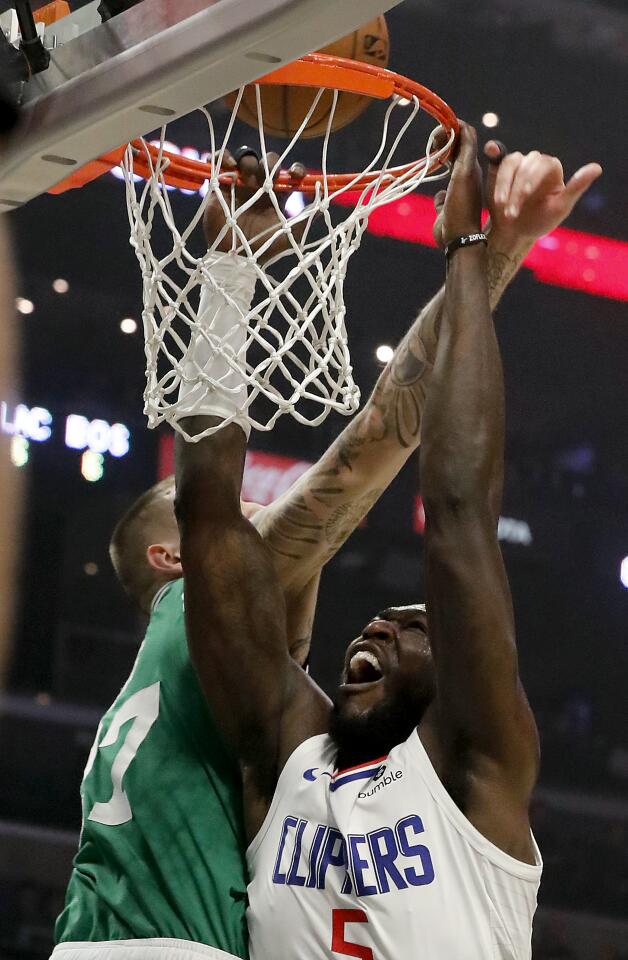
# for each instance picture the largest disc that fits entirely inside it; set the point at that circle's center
(296, 358)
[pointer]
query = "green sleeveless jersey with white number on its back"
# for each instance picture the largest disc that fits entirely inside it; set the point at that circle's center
(161, 852)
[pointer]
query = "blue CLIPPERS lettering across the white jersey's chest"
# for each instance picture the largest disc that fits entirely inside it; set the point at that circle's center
(385, 859)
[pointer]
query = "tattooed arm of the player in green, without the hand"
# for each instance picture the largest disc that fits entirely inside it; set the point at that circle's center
(307, 525)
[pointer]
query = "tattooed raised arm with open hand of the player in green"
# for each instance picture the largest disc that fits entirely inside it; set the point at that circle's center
(527, 198)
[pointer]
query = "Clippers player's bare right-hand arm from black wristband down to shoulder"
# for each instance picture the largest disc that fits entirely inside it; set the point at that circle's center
(482, 719)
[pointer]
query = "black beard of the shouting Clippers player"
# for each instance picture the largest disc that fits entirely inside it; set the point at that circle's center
(374, 733)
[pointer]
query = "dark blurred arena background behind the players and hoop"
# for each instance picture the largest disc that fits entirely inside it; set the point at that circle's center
(556, 74)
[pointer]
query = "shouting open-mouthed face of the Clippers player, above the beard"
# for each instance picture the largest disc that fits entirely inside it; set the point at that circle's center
(390, 660)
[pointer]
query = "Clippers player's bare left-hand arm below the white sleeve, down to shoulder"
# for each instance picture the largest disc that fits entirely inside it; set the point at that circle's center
(236, 619)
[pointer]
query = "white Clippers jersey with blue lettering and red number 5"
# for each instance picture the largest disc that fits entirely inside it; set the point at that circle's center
(377, 862)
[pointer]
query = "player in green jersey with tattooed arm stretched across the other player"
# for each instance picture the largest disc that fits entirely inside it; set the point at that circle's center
(160, 867)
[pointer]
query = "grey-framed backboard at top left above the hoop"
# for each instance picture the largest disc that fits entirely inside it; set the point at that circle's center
(111, 82)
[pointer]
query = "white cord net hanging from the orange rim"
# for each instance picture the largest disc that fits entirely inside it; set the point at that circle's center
(295, 357)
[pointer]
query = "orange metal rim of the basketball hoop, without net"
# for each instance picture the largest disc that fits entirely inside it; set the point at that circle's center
(313, 70)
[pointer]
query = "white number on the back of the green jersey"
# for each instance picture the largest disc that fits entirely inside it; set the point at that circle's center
(143, 709)
